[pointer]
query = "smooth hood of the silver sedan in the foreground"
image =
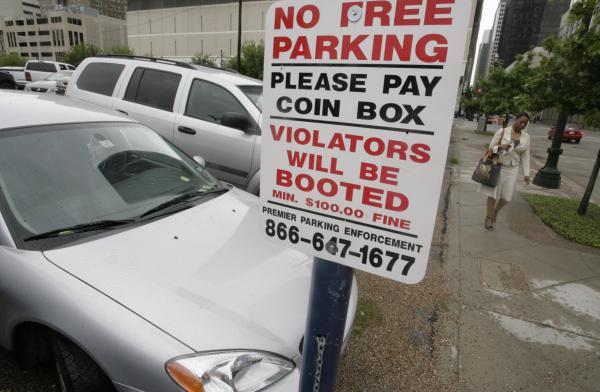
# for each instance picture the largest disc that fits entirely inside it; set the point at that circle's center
(205, 275)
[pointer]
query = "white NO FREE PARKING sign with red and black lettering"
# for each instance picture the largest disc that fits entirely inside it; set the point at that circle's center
(358, 106)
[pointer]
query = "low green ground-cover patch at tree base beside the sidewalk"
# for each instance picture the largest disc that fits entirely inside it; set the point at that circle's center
(561, 215)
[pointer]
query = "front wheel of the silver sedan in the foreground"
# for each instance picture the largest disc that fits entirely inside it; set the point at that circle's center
(75, 370)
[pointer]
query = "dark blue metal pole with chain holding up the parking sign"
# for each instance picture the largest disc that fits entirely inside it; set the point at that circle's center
(324, 334)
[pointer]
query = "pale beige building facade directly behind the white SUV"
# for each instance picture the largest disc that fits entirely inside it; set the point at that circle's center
(179, 29)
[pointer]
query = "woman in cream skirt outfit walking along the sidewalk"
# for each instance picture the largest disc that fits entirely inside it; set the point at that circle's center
(512, 145)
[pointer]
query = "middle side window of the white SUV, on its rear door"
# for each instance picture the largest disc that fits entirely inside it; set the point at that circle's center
(154, 88)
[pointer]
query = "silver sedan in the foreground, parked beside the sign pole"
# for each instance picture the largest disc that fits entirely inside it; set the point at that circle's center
(131, 267)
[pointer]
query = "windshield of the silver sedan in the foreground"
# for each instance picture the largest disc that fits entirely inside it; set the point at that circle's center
(54, 177)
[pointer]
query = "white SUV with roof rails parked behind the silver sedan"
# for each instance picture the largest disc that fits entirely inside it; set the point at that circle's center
(208, 112)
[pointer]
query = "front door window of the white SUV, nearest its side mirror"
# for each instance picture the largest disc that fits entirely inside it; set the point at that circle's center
(208, 101)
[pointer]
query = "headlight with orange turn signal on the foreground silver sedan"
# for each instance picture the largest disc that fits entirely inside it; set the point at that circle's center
(228, 371)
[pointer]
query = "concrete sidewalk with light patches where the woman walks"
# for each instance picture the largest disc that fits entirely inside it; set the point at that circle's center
(527, 302)
